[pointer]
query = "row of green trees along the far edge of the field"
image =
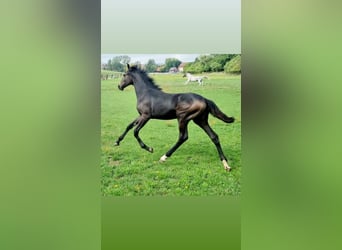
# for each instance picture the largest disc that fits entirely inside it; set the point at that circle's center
(229, 63)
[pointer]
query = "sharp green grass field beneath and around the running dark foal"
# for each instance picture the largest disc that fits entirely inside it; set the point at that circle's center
(195, 168)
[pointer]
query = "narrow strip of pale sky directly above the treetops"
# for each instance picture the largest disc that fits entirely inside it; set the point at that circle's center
(158, 58)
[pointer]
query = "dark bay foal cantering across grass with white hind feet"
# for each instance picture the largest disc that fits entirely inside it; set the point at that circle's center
(153, 103)
